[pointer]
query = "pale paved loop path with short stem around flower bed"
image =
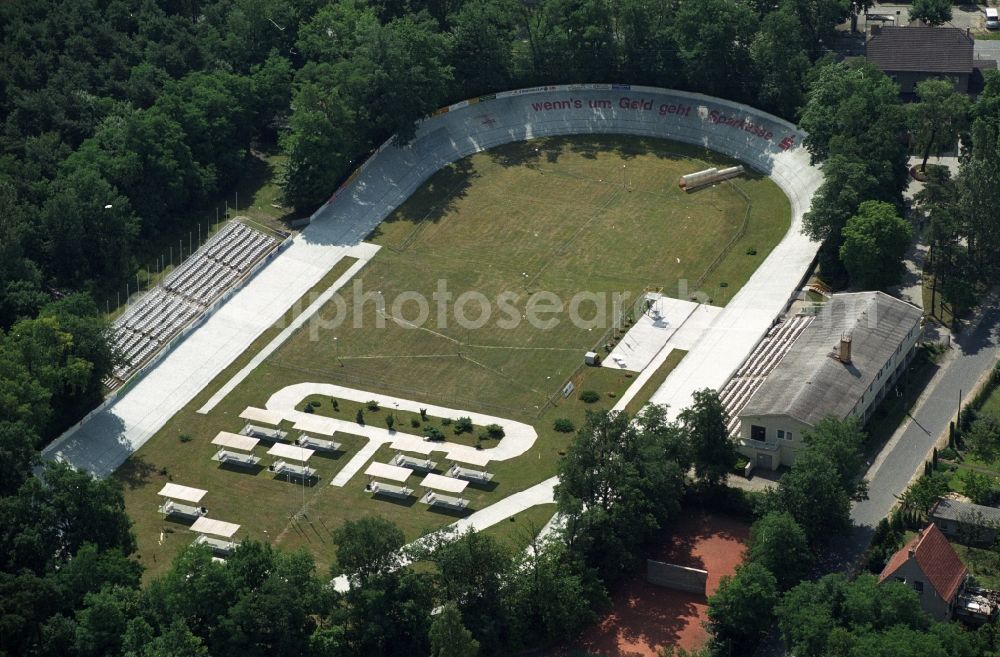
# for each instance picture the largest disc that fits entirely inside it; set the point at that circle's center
(518, 436)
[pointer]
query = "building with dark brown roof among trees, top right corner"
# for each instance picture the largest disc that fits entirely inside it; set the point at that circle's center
(912, 54)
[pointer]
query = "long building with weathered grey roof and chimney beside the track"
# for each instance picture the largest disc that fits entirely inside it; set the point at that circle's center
(842, 364)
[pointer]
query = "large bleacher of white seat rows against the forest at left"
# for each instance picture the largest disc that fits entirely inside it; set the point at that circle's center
(184, 294)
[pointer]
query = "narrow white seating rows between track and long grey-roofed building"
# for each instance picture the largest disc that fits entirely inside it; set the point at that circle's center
(762, 360)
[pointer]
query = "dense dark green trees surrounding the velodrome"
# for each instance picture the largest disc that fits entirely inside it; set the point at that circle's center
(120, 117)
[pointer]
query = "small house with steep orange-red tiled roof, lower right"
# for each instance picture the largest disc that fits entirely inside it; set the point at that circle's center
(931, 567)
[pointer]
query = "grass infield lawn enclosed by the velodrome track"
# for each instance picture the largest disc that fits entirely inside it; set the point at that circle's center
(566, 218)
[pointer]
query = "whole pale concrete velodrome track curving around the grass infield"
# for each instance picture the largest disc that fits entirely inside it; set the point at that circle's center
(106, 438)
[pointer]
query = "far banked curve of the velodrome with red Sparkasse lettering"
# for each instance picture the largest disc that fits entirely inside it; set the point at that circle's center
(764, 142)
